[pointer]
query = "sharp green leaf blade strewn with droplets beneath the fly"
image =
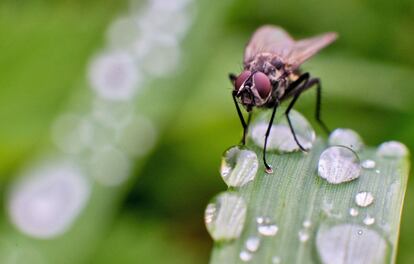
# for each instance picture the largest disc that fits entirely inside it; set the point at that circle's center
(317, 222)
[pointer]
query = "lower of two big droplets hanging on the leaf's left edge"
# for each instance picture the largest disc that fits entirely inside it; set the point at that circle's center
(225, 216)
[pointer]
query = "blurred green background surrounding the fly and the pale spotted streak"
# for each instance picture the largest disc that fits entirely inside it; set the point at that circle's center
(45, 46)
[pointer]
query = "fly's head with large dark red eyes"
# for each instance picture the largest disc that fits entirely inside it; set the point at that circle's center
(253, 88)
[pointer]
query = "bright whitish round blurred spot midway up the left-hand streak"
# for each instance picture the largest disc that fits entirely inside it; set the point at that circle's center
(114, 76)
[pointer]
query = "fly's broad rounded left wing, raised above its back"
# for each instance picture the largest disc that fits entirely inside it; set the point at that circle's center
(268, 39)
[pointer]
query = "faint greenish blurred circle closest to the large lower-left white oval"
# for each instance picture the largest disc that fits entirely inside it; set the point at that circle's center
(109, 166)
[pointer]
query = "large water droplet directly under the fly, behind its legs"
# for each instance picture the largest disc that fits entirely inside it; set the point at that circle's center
(281, 138)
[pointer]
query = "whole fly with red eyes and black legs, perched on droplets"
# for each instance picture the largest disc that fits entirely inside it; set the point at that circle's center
(271, 75)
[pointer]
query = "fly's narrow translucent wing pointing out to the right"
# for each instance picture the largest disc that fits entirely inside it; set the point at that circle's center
(306, 48)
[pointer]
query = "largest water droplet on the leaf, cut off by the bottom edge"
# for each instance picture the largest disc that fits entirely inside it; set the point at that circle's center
(347, 243)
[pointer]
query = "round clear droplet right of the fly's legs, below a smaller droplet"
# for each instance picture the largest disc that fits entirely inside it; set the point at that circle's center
(338, 164)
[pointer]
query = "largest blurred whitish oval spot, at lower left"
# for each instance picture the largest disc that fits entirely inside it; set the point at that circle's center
(45, 202)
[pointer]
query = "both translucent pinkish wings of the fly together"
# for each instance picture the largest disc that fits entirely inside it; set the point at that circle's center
(275, 40)
